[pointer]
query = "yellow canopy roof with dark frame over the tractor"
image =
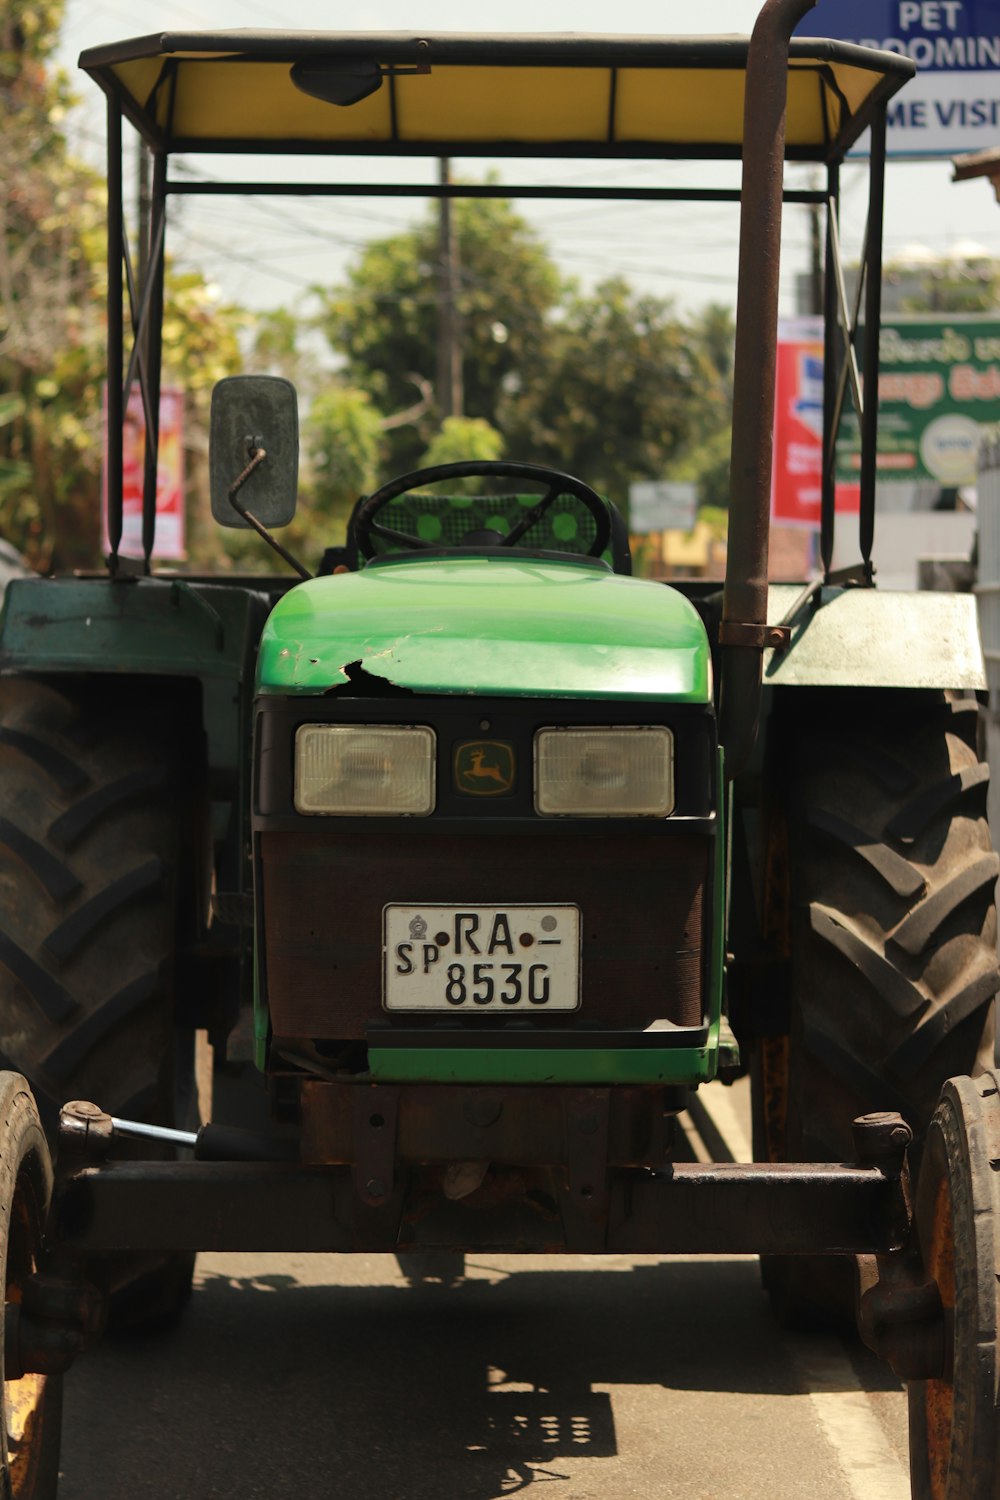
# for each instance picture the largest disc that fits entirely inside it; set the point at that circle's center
(472, 95)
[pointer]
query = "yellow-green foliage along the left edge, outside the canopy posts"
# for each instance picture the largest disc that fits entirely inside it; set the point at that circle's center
(50, 319)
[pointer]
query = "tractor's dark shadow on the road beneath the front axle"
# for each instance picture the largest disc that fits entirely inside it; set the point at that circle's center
(275, 1388)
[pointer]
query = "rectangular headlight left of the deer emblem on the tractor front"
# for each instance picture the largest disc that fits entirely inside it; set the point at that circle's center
(365, 770)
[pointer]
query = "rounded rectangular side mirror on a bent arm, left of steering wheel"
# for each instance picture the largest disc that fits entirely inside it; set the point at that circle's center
(250, 413)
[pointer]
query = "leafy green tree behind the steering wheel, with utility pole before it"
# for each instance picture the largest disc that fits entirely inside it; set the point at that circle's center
(614, 385)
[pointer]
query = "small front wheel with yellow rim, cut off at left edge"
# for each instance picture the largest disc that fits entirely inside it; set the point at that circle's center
(32, 1406)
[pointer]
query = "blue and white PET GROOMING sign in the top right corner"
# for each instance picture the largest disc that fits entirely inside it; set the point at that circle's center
(954, 103)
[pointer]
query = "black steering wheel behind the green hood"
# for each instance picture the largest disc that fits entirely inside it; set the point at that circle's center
(367, 527)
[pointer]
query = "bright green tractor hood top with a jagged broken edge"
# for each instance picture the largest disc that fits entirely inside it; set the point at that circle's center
(490, 626)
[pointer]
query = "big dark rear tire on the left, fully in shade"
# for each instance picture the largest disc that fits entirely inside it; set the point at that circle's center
(92, 809)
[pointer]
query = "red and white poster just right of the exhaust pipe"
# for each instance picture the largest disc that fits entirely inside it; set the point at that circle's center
(798, 430)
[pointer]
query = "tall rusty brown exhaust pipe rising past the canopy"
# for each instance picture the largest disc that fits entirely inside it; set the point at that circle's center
(746, 595)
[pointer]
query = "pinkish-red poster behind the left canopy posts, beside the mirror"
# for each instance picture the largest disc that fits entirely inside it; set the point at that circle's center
(170, 479)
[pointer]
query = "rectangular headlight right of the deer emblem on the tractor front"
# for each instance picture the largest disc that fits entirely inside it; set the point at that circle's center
(605, 773)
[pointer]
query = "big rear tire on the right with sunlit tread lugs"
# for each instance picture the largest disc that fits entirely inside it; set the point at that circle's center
(891, 932)
